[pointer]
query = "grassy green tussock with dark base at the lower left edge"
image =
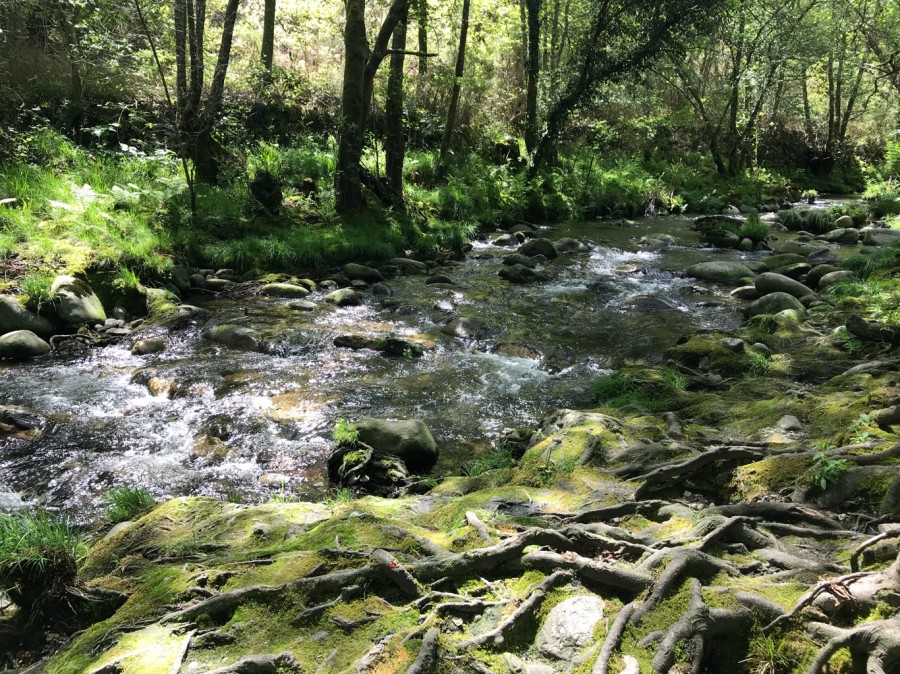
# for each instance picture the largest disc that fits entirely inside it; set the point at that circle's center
(39, 558)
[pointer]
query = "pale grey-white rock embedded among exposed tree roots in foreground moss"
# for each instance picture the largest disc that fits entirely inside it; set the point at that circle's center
(569, 627)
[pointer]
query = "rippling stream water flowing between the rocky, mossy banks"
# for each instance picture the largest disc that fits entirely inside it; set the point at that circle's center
(272, 412)
